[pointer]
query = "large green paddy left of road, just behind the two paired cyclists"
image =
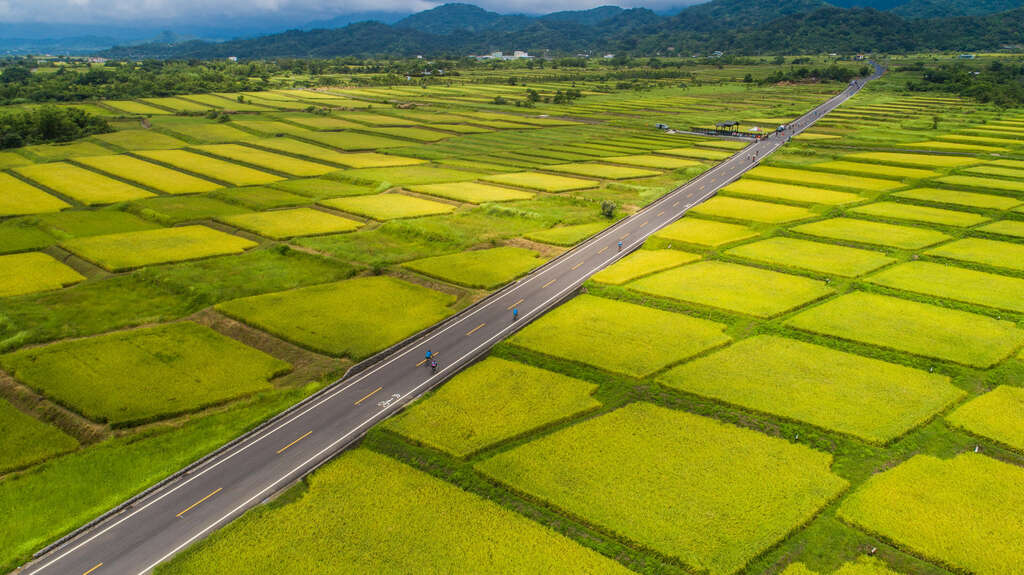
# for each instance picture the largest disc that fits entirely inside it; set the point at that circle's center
(346, 318)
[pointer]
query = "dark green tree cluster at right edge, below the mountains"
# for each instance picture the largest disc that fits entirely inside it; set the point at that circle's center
(999, 83)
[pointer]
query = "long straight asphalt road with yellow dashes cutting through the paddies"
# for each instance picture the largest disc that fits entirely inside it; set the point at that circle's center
(190, 508)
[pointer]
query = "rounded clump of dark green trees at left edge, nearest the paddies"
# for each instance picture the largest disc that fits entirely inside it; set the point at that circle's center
(49, 124)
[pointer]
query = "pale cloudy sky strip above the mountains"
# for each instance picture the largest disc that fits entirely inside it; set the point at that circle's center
(199, 12)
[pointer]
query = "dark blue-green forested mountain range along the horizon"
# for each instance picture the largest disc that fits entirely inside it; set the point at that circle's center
(738, 27)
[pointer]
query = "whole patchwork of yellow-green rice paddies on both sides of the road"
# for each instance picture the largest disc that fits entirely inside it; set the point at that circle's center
(791, 377)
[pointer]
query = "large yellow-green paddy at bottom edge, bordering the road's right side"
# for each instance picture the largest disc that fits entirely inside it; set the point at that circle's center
(433, 523)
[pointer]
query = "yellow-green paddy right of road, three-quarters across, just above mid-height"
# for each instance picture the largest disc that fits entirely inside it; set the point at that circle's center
(815, 256)
